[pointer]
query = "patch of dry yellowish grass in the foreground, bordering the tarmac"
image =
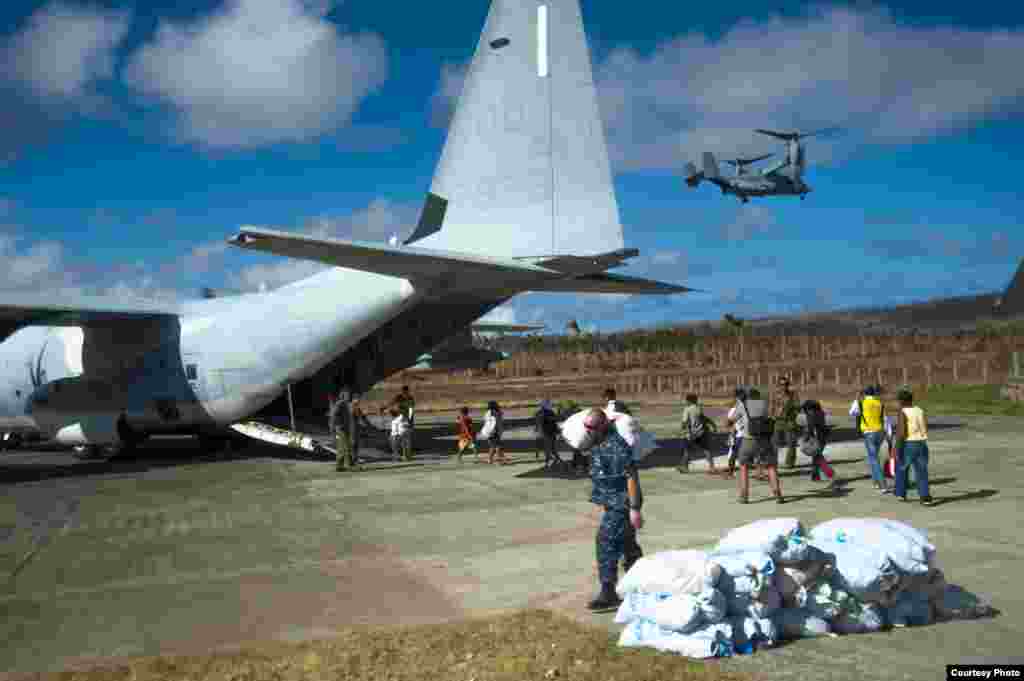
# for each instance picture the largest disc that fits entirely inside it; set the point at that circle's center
(530, 645)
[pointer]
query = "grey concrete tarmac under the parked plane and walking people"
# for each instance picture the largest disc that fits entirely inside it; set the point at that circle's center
(184, 551)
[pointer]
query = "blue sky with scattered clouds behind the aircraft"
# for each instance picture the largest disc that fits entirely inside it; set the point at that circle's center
(136, 138)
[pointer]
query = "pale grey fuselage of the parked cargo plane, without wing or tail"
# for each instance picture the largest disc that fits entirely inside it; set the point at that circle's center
(220, 362)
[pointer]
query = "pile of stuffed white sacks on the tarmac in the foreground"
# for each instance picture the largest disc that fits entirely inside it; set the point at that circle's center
(771, 581)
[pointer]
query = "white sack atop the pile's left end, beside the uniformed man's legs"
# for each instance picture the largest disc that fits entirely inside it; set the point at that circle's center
(671, 572)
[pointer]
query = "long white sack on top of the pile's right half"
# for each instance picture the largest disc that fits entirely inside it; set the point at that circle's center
(909, 548)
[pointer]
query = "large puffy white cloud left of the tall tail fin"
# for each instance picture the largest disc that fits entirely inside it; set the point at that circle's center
(260, 72)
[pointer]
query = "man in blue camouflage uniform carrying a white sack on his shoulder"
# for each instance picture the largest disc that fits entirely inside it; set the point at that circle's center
(617, 489)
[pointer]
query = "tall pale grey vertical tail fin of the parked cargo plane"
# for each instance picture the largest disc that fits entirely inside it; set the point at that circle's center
(525, 171)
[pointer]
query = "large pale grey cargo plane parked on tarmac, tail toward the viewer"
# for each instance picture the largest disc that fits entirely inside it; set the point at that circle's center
(522, 200)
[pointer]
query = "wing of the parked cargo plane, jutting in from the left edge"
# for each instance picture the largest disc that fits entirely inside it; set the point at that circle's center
(22, 310)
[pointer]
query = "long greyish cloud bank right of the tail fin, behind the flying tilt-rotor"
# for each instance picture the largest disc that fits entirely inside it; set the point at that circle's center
(858, 69)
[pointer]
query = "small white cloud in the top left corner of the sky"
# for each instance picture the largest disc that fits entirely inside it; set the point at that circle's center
(66, 50)
